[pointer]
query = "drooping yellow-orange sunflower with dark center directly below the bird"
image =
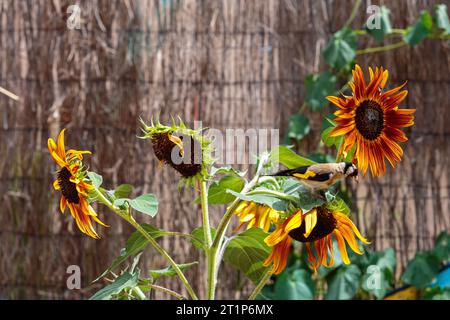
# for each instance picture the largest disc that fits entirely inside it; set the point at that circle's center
(315, 229)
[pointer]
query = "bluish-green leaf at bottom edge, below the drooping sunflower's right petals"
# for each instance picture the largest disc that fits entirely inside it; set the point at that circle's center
(343, 283)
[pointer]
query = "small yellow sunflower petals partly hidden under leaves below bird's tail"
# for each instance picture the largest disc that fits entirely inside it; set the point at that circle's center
(255, 215)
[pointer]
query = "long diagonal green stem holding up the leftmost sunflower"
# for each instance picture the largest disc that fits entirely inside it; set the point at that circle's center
(126, 215)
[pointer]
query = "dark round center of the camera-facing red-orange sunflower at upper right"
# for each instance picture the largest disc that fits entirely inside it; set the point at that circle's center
(369, 119)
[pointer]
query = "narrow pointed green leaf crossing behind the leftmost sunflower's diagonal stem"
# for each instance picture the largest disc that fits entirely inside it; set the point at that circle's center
(135, 244)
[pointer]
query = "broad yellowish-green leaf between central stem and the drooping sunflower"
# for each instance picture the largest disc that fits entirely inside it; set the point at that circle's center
(247, 252)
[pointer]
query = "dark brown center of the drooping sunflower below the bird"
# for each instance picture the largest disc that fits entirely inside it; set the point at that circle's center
(326, 223)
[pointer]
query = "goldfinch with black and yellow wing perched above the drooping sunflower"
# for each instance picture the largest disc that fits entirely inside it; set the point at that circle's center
(321, 176)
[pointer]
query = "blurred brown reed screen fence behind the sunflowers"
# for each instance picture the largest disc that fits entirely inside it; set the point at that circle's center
(228, 63)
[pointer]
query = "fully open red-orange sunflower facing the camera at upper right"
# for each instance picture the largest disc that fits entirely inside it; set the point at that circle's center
(371, 120)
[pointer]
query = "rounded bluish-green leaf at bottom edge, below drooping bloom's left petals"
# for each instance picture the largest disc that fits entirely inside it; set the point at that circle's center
(296, 285)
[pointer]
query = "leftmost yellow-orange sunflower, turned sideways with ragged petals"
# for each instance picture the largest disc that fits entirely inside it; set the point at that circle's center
(73, 186)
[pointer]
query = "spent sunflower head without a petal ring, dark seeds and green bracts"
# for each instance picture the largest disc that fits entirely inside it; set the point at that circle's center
(186, 150)
